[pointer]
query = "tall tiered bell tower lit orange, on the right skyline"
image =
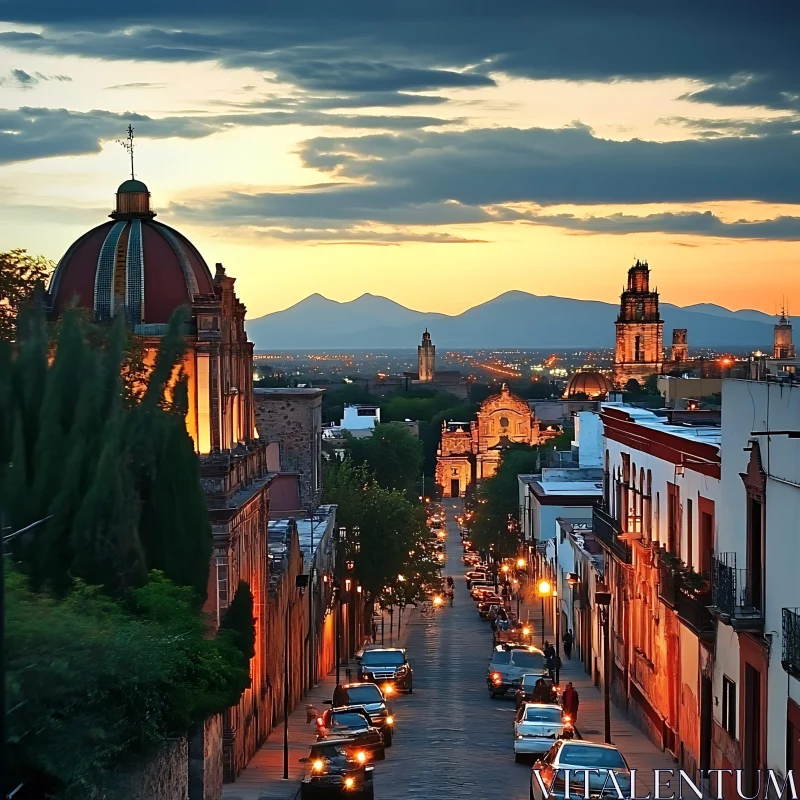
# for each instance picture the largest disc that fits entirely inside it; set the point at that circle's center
(639, 351)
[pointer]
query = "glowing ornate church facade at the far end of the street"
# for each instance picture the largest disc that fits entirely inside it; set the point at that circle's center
(470, 452)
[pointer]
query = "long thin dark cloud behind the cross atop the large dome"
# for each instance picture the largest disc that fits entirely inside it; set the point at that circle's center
(29, 133)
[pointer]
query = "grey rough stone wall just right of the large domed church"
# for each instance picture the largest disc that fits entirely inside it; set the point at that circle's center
(293, 419)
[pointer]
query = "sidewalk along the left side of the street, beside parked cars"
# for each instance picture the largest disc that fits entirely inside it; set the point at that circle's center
(263, 777)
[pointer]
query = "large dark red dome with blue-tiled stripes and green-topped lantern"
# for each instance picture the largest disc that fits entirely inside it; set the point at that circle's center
(132, 263)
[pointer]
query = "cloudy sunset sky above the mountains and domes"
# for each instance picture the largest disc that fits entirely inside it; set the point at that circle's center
(438, 152)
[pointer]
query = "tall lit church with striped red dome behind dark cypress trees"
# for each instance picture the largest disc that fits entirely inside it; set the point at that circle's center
(146, 270)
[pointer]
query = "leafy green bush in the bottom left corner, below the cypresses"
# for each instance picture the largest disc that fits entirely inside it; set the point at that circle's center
(92, 680)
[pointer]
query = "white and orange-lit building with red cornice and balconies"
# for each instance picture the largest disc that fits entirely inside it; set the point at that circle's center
(658, 527)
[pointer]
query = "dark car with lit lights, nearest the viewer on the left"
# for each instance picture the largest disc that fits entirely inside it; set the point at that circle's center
(333, 770)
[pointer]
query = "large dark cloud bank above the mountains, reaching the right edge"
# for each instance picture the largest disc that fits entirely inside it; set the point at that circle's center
(477, 176)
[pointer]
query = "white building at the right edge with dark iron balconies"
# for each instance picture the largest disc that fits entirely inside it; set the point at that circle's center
(757, 586)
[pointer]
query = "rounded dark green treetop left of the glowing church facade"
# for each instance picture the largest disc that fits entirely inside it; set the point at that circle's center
(393, 454)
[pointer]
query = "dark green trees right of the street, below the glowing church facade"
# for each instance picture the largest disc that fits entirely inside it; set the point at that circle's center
(498, 502)
